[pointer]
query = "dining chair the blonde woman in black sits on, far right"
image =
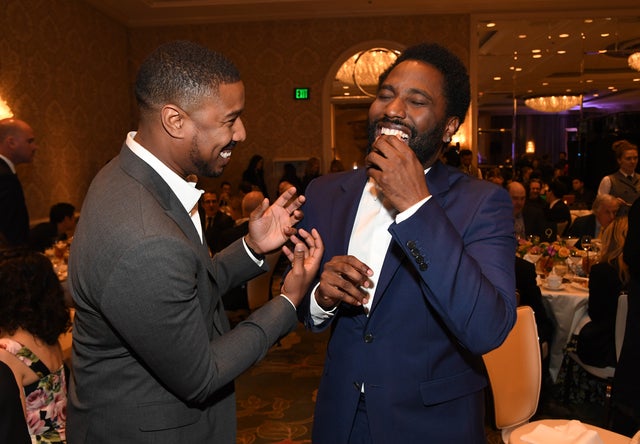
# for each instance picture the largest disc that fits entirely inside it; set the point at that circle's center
(604, 375)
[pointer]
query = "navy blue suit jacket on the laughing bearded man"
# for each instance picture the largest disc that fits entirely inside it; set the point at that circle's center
(445, 296)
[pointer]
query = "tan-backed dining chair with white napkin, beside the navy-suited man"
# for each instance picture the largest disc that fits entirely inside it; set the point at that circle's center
(514, 371)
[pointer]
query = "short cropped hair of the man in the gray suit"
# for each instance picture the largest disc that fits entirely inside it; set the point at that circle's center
(182, 73)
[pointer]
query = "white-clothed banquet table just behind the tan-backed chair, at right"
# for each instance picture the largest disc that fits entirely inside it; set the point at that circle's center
(568, 309)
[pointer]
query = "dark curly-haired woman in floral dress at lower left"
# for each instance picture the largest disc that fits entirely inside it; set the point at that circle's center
(32, 317)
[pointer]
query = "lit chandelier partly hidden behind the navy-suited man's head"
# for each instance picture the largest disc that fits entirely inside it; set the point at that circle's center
(364, 68)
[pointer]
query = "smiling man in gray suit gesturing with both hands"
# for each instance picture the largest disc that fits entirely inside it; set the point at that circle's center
(153, 357)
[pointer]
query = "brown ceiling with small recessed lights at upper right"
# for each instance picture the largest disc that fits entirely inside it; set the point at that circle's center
(585, 68)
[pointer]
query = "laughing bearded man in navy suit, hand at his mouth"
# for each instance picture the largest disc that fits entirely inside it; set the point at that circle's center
(417, 279)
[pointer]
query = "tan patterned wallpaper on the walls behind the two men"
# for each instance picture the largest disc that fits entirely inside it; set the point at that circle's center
(67, 69)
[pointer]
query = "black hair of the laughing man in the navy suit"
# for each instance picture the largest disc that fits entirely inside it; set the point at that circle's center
(457, 88)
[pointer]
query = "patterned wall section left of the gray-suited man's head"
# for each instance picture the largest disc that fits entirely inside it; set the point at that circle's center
(63, 69)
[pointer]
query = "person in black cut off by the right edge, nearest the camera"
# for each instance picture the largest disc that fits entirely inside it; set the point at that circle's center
(625, 397)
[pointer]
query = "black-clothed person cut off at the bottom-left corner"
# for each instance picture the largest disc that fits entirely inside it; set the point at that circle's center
(13, 426)
